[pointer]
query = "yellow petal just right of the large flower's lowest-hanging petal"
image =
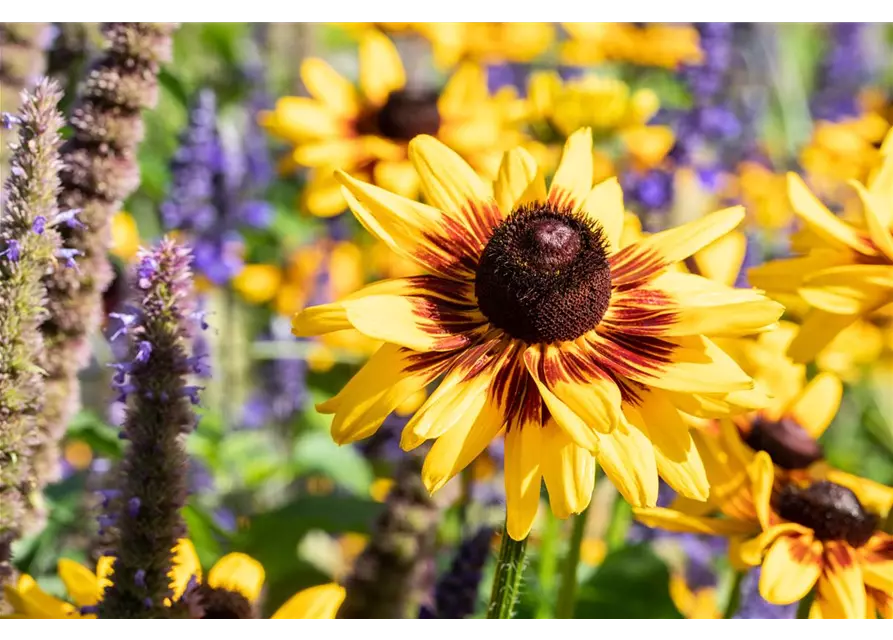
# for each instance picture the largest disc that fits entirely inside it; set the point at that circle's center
(569, 472)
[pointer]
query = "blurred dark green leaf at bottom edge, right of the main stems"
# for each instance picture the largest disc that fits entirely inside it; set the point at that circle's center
(632, 583)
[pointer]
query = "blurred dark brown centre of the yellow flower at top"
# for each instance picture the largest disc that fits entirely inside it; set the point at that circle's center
(405, 115)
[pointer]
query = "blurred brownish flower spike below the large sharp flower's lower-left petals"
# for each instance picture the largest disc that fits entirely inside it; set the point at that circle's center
(386, 581)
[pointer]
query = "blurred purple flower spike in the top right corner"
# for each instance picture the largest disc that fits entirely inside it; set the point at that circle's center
(843, 73)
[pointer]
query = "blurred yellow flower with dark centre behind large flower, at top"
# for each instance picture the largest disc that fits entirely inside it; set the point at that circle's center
(366, 132)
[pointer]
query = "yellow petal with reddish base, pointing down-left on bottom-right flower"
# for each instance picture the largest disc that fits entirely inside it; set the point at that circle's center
(791, 568)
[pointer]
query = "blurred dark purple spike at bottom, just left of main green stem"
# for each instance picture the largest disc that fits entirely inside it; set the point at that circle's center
(456, 592)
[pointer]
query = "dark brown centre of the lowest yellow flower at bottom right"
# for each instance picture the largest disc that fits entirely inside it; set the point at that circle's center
(833, 512)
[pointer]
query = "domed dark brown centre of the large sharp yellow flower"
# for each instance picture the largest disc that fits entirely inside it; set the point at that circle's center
(544, 275)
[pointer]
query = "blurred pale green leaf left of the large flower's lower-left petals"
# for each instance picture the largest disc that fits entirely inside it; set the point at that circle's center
(316, 452)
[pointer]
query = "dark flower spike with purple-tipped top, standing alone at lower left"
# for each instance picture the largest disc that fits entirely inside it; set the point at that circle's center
(153, 473)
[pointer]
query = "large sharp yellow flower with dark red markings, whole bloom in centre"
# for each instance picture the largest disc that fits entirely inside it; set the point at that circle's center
(542, 326)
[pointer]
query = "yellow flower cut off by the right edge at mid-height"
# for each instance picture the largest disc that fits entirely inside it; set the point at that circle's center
(847, 271)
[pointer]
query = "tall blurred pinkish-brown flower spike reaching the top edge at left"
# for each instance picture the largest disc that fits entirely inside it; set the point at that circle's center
(101, 171)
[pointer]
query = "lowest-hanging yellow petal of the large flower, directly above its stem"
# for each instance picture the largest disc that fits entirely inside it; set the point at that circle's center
(523, 476)
